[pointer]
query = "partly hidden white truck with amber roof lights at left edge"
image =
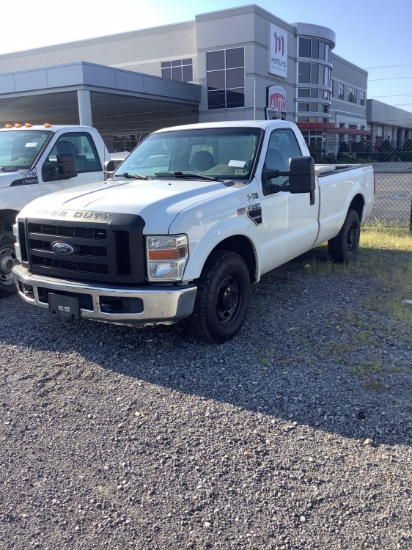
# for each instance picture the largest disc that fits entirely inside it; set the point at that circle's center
(34, 161)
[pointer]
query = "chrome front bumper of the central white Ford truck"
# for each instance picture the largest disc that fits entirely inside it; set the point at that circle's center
(119, 305)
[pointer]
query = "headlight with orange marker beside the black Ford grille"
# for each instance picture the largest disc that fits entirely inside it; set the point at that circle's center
(166, 257)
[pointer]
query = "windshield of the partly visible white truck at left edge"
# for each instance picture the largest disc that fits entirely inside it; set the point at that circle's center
(20, 148)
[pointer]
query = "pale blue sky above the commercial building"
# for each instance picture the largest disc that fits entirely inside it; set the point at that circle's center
(375, 35)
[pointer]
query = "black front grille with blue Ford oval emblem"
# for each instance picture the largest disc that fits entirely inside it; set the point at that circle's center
(91, 249)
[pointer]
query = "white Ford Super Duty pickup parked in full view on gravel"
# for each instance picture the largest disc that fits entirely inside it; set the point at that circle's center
(190, 220)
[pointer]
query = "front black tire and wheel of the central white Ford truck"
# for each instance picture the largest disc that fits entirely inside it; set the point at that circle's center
(222, 300)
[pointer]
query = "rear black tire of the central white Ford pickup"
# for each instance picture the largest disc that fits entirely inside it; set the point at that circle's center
(344, 247)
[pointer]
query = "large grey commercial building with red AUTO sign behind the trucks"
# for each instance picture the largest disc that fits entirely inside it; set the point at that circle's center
(241, 63)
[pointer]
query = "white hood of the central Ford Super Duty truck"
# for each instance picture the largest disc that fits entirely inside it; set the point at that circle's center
(144, 198)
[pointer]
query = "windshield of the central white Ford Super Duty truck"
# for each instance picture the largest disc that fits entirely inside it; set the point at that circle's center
(221, 153)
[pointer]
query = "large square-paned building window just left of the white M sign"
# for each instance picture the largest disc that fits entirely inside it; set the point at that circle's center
(226, 78)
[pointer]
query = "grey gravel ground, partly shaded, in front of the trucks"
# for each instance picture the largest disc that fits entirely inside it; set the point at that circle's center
(296, 434)
